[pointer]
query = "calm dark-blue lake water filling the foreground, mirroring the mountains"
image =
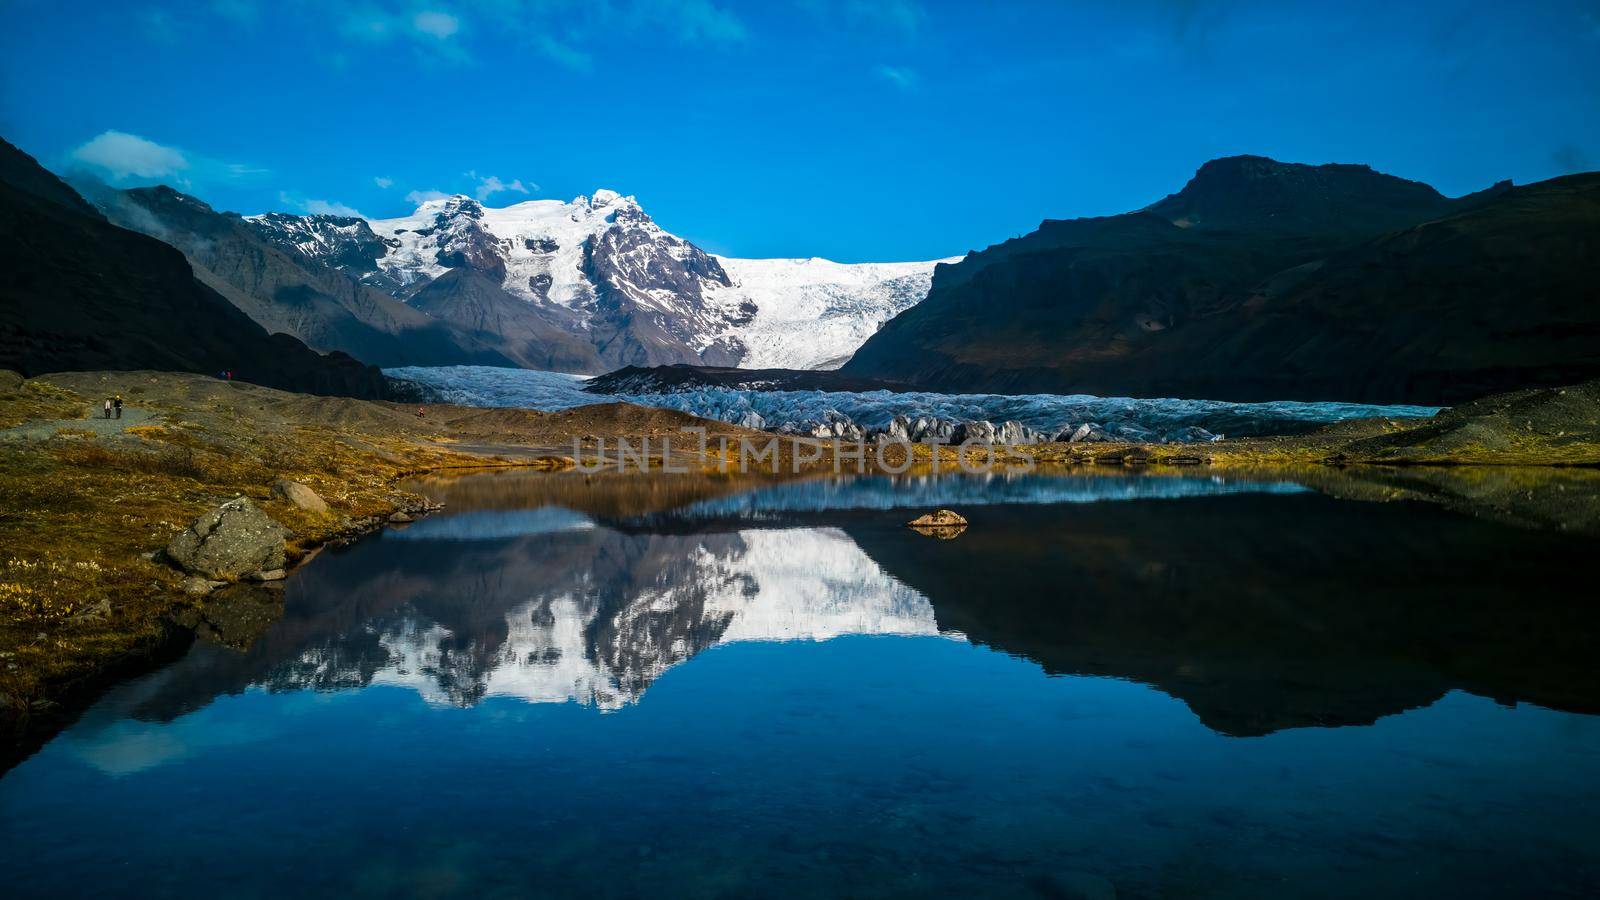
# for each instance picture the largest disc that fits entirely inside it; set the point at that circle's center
(1106, 688)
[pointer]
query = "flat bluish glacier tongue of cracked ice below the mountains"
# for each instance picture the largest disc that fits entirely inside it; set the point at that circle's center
(873, 411)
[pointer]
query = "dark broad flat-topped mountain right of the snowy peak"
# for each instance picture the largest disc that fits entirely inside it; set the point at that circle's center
(1273, 281)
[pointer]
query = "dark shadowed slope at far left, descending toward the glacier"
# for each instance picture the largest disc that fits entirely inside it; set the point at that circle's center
(78, 292)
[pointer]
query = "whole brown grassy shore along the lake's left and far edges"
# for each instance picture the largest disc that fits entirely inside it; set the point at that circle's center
(84, 605)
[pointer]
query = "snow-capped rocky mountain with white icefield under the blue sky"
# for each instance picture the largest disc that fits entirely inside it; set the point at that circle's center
(599, 268)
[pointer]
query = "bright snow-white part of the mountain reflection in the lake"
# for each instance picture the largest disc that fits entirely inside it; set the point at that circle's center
(602, 646)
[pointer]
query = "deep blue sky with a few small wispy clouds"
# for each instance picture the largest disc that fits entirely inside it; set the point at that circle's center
(846, 129)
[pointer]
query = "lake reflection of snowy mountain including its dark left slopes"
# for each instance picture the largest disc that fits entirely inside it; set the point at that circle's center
(543, 605)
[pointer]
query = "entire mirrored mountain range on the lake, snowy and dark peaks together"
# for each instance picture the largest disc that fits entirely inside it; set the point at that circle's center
(1258, 605)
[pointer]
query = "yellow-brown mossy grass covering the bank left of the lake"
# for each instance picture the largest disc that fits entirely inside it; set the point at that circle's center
(81, 516)
